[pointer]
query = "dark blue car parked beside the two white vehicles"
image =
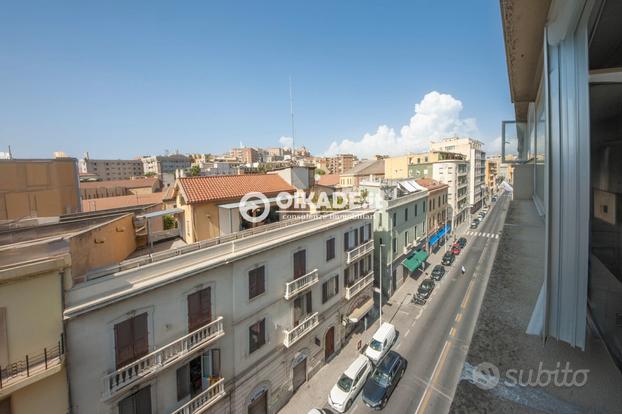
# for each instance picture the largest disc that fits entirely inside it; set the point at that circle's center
(382, 381)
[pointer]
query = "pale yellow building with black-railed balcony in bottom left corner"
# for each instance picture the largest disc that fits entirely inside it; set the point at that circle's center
(32, 350)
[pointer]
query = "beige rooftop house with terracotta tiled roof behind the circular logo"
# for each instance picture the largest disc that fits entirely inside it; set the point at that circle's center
(211, 204)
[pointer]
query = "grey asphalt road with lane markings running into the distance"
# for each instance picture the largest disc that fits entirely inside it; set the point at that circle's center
(434, 338)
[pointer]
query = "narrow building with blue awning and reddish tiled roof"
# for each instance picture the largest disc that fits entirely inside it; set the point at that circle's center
(437, 214)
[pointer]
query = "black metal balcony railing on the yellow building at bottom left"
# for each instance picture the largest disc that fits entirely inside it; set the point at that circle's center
(32, 365)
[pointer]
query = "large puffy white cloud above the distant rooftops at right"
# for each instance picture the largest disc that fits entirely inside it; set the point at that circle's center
(436, 116)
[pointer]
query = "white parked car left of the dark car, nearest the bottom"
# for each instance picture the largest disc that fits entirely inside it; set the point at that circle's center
(350, 383)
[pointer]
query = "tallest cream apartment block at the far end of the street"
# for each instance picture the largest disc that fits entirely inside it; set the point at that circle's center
(475, 155)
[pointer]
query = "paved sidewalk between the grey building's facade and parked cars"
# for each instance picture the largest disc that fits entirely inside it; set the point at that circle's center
(314, 393)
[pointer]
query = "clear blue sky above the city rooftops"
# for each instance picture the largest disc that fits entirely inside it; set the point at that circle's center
(122, 79)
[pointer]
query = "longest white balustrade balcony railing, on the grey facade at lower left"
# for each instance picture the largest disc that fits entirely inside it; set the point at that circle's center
(163, 357)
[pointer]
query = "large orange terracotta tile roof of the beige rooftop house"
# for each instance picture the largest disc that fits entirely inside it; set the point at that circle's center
(231, 187)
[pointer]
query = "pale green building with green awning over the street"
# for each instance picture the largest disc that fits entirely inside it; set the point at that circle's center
(399, 230)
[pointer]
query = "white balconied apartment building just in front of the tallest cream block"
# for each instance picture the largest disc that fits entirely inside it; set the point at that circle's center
(456, 175)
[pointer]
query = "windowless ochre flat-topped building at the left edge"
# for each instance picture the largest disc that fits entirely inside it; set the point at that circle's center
(38, 188)
